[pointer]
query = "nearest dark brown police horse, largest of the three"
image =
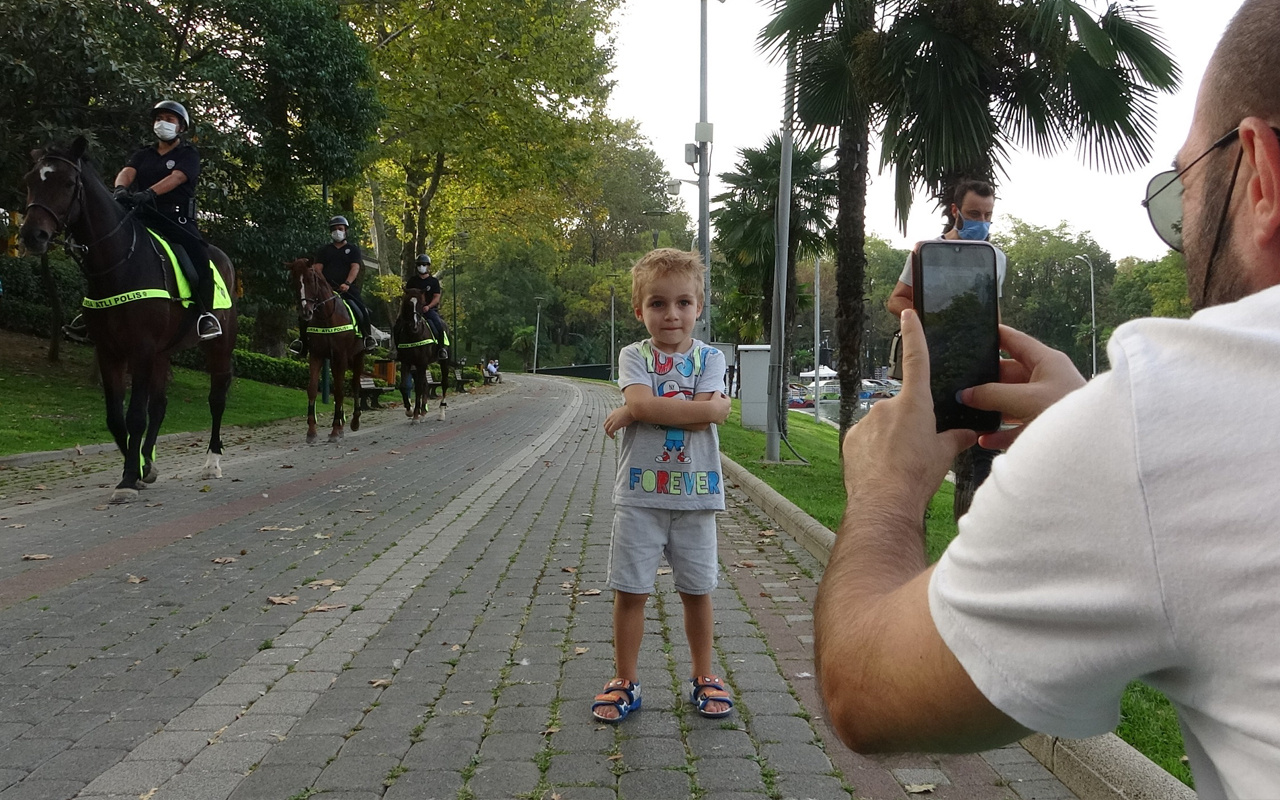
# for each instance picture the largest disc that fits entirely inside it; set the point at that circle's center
(134, 323)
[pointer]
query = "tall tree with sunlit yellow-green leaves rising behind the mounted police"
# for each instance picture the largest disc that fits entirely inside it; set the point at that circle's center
(482, 93)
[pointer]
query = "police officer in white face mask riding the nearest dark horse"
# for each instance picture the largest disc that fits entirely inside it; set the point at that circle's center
(166, 177)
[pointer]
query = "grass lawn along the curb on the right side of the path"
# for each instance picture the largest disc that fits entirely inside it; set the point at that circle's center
(1148, 723)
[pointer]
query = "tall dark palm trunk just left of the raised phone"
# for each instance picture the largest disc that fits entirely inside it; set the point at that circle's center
(851, 260)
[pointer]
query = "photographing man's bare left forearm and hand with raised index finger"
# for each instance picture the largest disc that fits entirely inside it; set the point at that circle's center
(888, 678)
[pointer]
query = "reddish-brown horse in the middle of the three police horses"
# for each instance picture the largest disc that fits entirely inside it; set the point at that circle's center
(332, 335)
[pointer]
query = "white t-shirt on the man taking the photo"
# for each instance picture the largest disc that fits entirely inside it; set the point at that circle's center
(1133, 532)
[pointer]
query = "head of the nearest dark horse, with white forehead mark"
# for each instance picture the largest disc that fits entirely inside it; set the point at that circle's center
(56, 194)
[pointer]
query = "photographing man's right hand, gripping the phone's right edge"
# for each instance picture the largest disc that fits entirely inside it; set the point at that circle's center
(1032, 380)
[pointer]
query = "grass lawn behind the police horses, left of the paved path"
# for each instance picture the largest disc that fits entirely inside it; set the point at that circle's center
(53, 406)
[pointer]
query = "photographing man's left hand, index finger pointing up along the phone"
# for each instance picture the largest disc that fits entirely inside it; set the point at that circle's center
(895, 450)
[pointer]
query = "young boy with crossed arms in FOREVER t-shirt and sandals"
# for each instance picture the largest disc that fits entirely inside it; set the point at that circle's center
(669, 487)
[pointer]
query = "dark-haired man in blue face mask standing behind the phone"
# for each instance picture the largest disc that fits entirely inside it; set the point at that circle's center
(972, 209)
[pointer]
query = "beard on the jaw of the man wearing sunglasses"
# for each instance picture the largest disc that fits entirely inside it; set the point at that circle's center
(1220, 281)
